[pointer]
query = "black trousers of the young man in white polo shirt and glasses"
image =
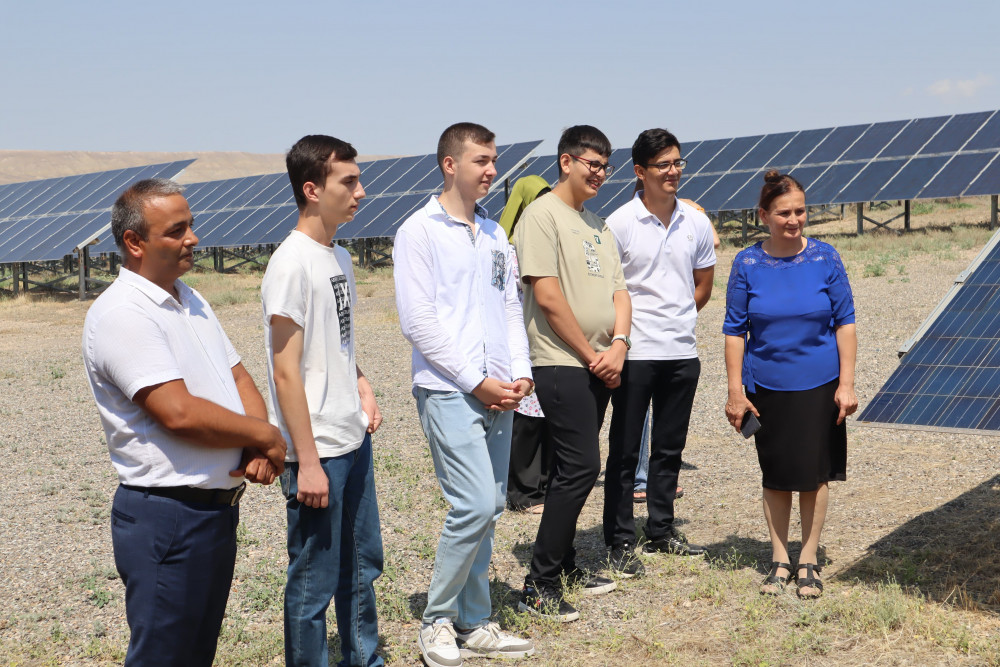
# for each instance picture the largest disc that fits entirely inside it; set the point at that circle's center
(671, 385)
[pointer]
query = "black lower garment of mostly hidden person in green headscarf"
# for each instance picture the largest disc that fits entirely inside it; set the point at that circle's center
(530, 462)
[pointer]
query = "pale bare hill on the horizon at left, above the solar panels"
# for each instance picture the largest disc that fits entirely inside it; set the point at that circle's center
(17, 166)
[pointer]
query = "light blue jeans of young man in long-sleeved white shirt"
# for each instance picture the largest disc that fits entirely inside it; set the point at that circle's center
(470, 446)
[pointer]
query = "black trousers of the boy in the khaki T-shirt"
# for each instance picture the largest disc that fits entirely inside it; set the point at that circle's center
(574, 402)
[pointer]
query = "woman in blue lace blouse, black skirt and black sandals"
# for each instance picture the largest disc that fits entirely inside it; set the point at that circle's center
(791, 344)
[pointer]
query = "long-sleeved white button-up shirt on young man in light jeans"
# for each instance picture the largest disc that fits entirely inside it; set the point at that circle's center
(457, 300)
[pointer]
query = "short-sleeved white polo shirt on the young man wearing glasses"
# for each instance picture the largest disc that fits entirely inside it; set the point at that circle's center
(659, 262)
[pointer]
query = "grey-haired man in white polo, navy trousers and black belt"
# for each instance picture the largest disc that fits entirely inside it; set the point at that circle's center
(178, 408)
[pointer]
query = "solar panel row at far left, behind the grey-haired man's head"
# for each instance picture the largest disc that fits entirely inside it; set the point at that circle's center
(48, 219)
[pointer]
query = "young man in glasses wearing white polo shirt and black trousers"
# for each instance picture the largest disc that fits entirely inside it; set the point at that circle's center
(668, 257)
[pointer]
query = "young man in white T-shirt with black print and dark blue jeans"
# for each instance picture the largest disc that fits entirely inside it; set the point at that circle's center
(326, 409)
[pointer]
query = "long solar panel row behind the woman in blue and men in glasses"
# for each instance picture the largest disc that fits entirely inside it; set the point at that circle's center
(946, 156)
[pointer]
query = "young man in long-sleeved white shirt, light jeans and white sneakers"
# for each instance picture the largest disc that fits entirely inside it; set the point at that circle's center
(458, 306)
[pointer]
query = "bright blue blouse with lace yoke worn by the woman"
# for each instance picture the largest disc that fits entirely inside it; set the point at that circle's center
(787, 308)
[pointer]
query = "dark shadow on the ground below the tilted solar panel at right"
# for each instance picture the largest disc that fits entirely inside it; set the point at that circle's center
(951, 553)
